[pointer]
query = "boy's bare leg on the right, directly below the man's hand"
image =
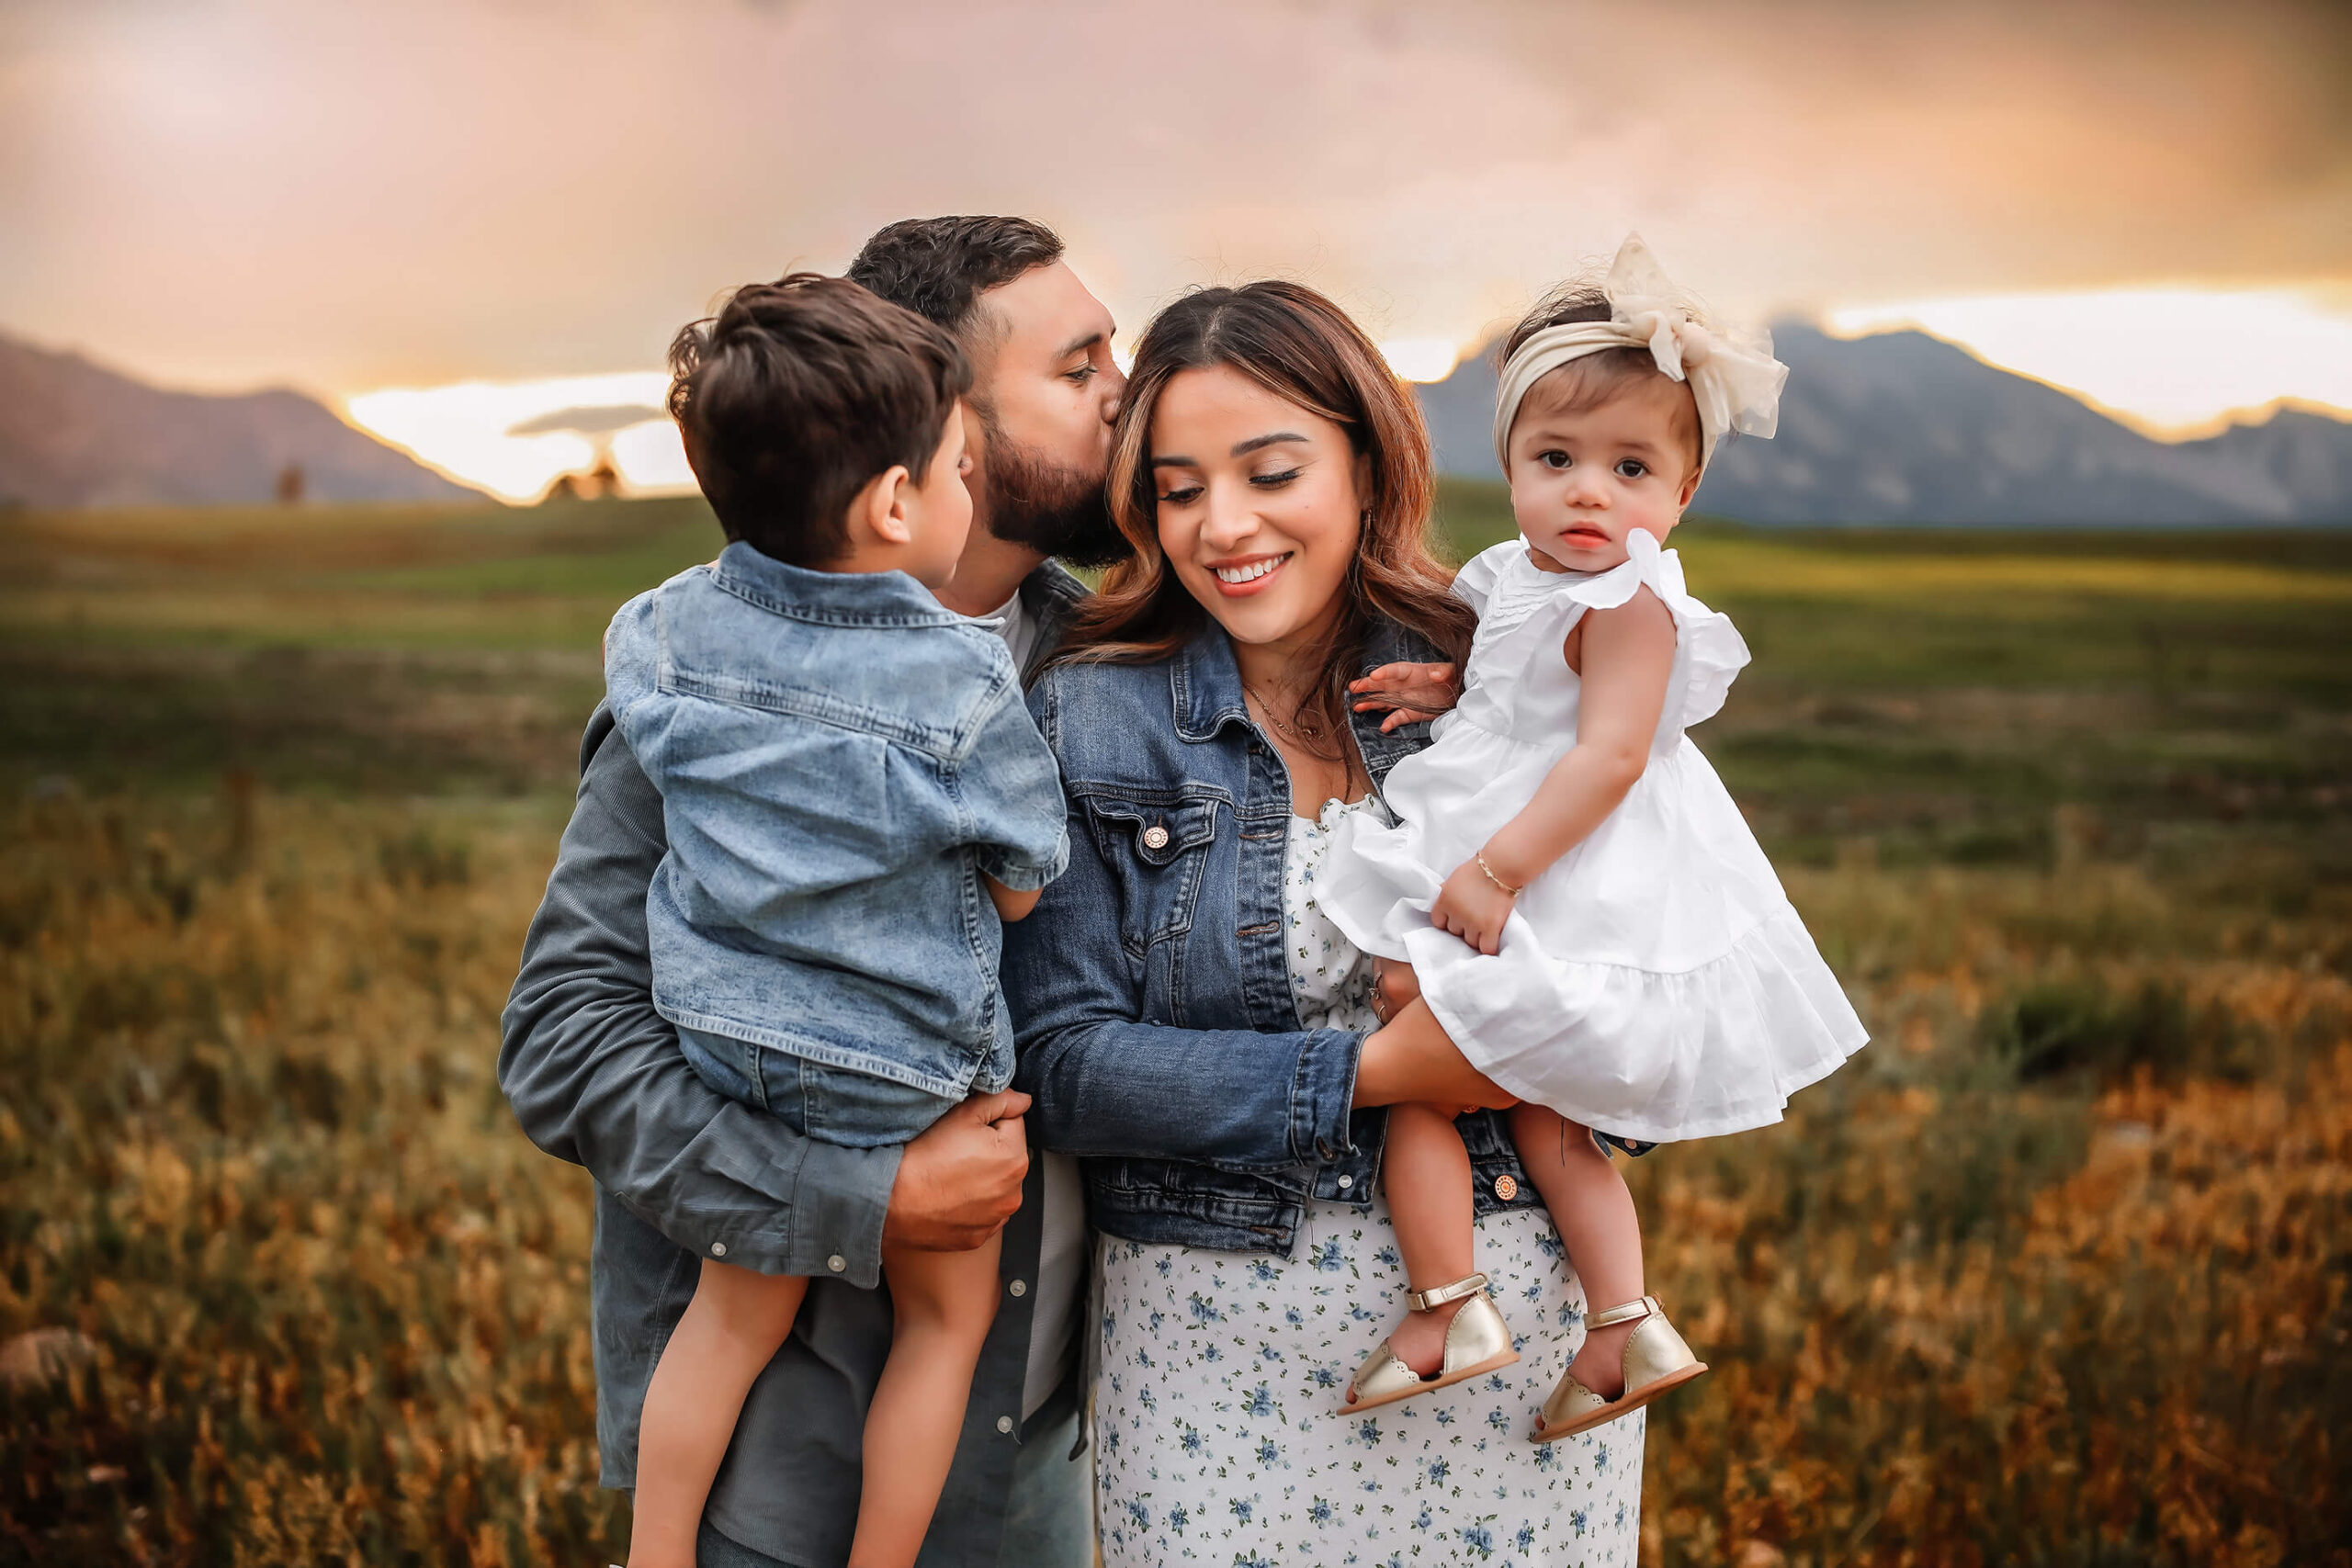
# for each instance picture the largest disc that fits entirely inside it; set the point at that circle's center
(944, 1306)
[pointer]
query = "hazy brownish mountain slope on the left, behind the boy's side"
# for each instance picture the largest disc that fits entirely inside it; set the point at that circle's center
(74, 434)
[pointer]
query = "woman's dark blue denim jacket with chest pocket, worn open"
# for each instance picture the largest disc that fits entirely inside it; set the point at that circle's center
(1154, 979)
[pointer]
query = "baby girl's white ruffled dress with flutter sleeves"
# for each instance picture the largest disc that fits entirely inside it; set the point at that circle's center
(1655, 981)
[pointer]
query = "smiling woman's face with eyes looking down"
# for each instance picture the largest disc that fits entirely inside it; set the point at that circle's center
(1262, 504)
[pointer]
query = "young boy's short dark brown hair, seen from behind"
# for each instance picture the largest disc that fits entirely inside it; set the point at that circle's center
(799, 394)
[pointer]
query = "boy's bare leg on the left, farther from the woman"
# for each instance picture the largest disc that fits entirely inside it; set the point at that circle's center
(730, 1332)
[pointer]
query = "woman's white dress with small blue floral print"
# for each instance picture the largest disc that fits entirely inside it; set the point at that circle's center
(1220, 1412)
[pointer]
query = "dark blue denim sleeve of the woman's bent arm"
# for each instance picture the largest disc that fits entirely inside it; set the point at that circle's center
(1107, 1083)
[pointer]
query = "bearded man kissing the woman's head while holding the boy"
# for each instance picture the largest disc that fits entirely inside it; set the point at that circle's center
(596, 1073)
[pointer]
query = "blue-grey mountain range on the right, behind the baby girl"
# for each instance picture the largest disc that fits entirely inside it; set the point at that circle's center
(1909, 429)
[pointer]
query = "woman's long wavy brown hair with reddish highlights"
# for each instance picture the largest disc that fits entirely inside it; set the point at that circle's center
(1302, 349)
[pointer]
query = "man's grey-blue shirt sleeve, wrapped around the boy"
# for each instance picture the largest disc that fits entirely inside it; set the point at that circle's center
(596, 1076)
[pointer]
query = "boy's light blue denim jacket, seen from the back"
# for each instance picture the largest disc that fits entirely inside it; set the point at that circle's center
(841, 760)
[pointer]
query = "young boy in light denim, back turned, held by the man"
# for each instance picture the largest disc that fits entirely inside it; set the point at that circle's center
(855, 798)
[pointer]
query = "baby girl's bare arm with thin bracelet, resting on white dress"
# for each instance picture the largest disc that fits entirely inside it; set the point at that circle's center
(1629, 655)
